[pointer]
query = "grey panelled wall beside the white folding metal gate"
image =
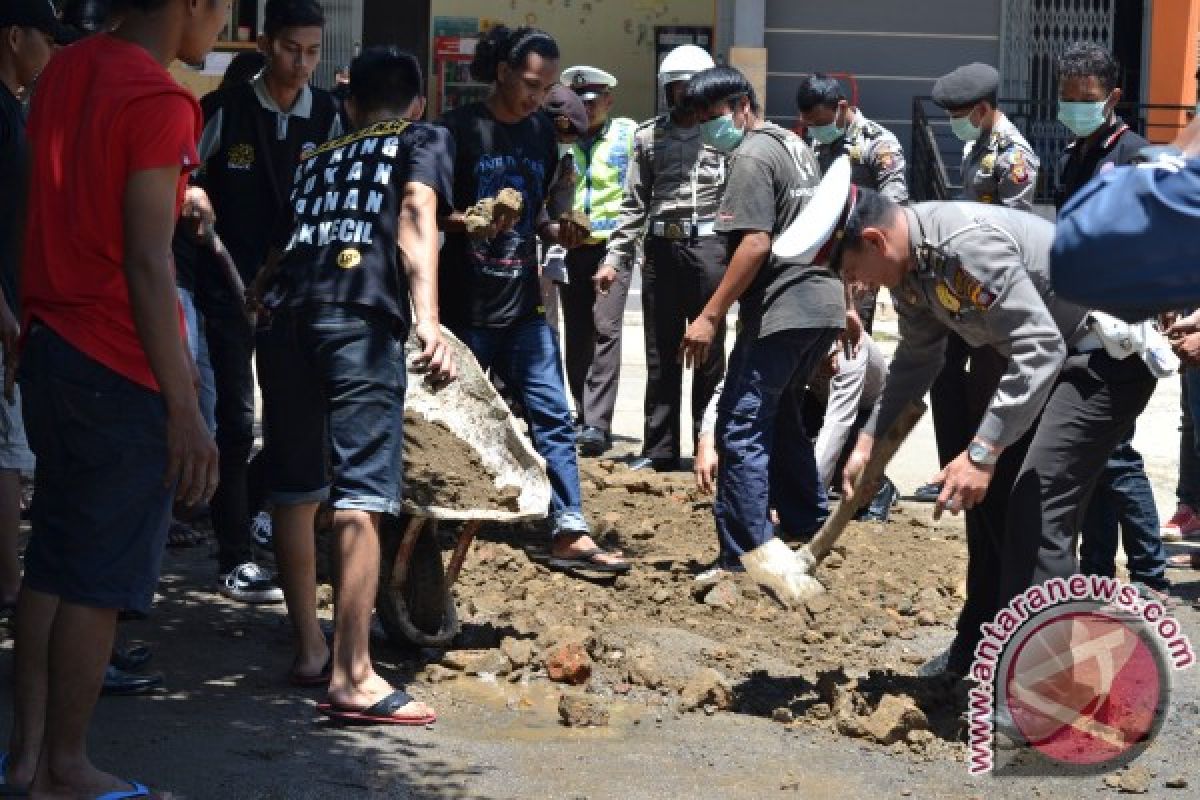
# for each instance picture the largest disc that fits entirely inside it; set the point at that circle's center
(895, 50)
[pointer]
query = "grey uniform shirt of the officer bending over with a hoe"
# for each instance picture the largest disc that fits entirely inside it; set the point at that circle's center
(985, 274)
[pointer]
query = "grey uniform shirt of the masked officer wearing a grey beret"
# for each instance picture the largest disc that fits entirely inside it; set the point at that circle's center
(1001, 170)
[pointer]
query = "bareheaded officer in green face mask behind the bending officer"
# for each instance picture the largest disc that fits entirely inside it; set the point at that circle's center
(838, 129)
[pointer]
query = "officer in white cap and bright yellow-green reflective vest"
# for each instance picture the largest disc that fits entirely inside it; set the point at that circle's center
(593, 320)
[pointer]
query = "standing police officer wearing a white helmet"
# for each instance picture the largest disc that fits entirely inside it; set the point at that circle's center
(673, 193)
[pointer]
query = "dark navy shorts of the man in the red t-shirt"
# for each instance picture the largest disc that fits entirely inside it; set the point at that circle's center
(100, 509)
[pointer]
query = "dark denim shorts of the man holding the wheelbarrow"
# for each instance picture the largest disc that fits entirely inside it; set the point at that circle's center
(333, 381)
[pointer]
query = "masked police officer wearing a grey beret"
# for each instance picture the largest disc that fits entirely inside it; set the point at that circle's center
(1000, 169)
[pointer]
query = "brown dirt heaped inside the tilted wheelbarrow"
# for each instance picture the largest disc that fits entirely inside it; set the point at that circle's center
(443, 471)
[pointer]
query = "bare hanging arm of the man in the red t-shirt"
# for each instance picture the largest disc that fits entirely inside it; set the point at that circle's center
(149, 212)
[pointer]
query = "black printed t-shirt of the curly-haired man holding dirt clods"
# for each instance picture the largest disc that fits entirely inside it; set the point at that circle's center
(495, 284)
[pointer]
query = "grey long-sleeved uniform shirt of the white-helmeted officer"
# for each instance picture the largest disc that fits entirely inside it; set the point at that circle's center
(673, 177)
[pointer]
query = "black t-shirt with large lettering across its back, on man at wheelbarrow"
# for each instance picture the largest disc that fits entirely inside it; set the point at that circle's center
(346, 202)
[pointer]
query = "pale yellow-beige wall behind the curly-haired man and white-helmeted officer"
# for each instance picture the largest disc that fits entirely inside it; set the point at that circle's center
(614, 35)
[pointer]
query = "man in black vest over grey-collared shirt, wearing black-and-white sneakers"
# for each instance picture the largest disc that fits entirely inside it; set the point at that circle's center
(254, 137)
